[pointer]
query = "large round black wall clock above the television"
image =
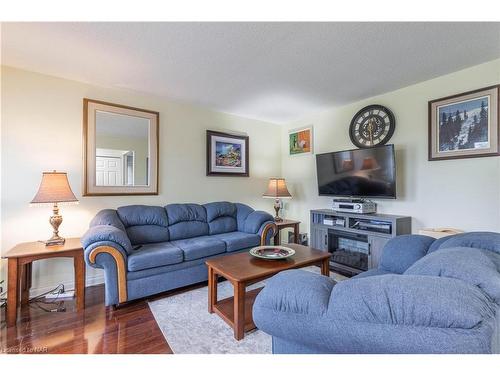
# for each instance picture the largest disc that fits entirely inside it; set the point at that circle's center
(372, 126)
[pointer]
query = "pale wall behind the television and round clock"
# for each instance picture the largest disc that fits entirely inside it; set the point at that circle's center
(461, 193)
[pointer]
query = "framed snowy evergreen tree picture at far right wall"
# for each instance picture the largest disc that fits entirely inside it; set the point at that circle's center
(465, 125)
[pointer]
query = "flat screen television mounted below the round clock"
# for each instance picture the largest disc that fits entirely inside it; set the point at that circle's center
(360, 173)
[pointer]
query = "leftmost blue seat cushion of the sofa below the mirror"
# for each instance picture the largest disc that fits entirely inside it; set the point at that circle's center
(154, 255)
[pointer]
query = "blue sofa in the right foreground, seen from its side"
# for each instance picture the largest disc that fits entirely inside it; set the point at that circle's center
(427, 296)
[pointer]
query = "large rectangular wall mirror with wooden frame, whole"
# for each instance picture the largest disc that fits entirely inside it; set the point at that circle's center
(121, 149)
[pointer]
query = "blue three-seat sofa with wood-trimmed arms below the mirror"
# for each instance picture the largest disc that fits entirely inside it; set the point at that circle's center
(146, 250)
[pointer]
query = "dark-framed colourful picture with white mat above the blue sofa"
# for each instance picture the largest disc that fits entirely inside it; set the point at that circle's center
(227, 154)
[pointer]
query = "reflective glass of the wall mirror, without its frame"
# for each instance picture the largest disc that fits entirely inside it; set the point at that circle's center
(122, 150)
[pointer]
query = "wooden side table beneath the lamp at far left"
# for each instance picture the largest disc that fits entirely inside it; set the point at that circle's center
(20, 259)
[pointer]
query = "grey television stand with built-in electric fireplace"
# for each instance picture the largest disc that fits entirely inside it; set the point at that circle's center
(354, 240)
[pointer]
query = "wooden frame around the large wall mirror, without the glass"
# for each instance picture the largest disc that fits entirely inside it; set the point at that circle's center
(90, 188)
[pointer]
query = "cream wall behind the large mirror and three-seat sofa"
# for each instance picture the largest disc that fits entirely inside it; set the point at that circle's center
(42, 130)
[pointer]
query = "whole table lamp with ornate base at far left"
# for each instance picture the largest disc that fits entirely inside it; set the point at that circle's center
(54, 189)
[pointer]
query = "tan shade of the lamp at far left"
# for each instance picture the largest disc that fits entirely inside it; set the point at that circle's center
(54, 188)
